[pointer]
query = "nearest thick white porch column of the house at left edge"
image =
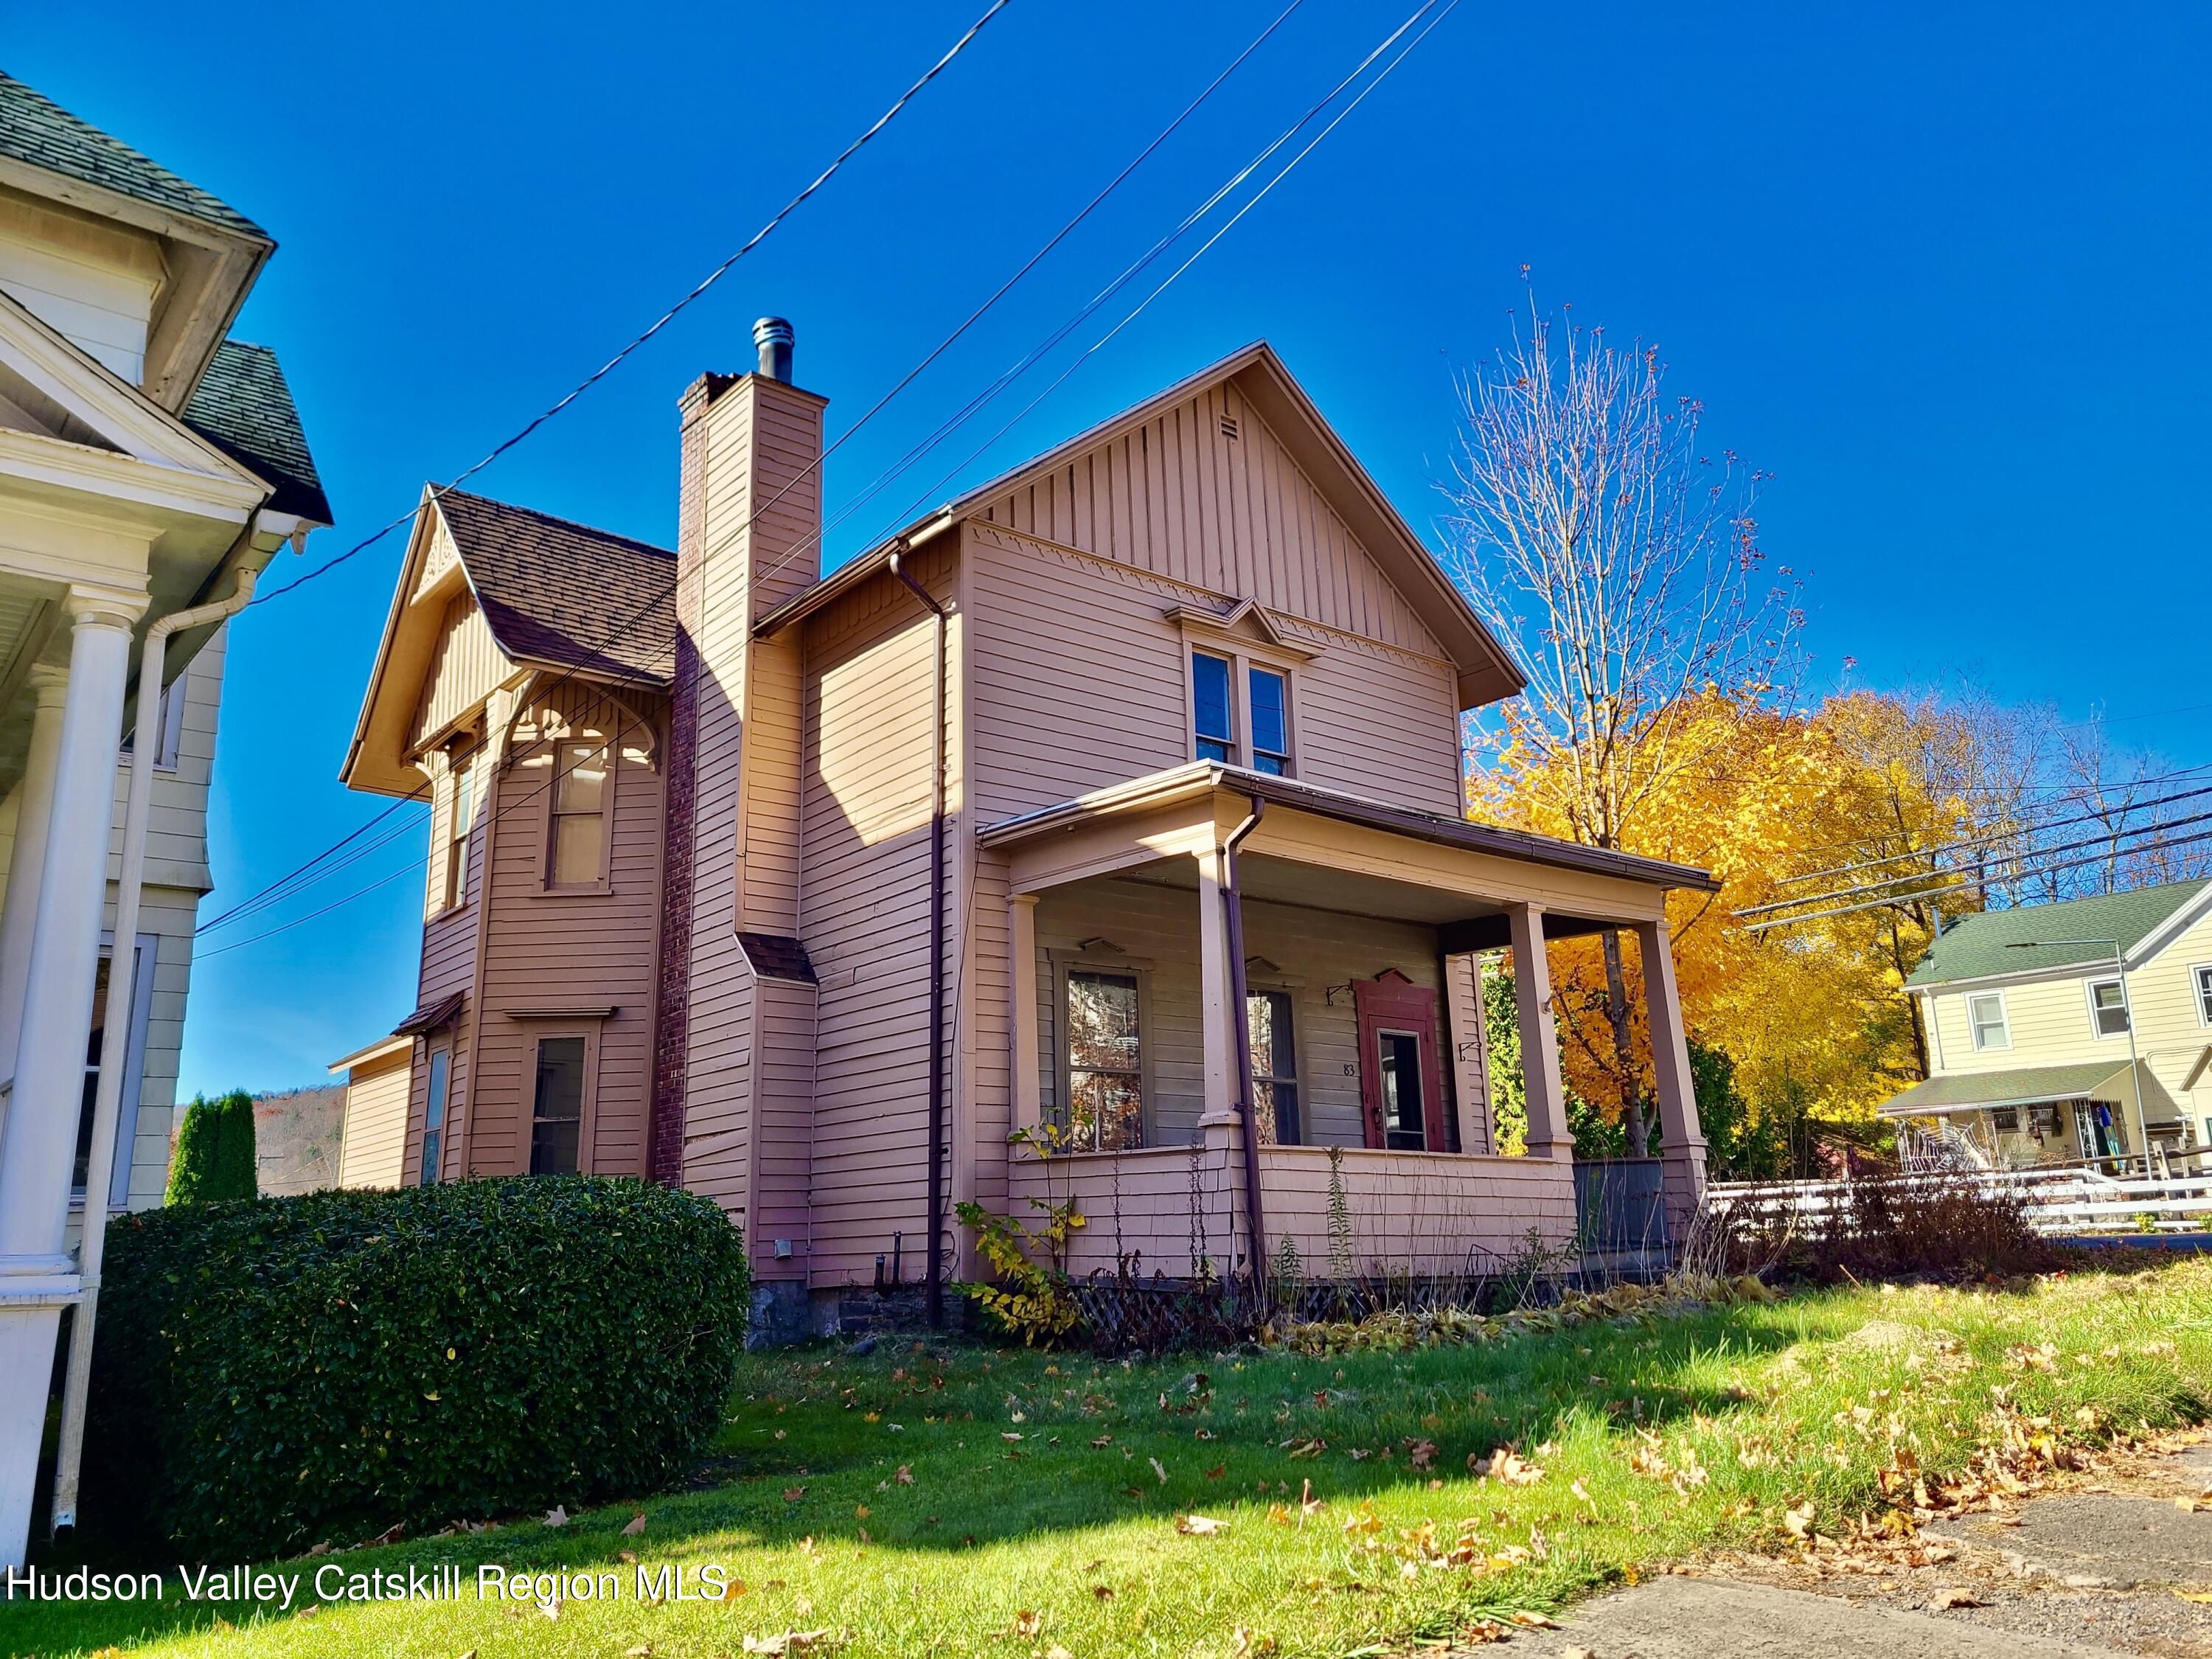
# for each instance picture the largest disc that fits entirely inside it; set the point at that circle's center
(41, 1134)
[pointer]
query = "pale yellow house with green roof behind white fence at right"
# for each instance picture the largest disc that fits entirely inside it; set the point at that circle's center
(2074, 1032)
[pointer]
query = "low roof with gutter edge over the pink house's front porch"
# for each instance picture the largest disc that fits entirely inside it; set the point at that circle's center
(1207, 778)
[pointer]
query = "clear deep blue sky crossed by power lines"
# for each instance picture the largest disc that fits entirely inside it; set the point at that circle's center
(1943, 275)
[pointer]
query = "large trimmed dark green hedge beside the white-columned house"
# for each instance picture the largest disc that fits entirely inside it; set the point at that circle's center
(282, 1373)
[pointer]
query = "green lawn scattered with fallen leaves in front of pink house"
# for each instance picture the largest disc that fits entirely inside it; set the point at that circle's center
(1005, 1503)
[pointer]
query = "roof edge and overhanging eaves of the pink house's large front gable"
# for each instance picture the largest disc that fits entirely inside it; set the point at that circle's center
(1485, 669)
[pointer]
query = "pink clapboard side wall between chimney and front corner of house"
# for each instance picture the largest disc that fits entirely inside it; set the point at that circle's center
(864, 912)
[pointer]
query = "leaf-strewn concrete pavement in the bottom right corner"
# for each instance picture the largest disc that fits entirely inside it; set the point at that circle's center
(2103, 1572)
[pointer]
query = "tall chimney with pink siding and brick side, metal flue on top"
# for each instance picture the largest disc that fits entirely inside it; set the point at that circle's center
(749, 539)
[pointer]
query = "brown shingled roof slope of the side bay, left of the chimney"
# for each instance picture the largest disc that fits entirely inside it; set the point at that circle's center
(567, 594)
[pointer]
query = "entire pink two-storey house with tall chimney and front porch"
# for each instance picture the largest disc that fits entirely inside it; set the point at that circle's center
(1118, 800)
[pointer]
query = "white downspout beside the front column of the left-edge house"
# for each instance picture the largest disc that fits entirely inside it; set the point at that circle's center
(123, 997)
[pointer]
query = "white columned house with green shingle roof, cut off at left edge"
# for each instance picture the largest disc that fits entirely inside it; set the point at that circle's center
(147, 466)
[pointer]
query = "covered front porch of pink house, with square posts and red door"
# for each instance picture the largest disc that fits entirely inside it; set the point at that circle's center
(1213, 950)
